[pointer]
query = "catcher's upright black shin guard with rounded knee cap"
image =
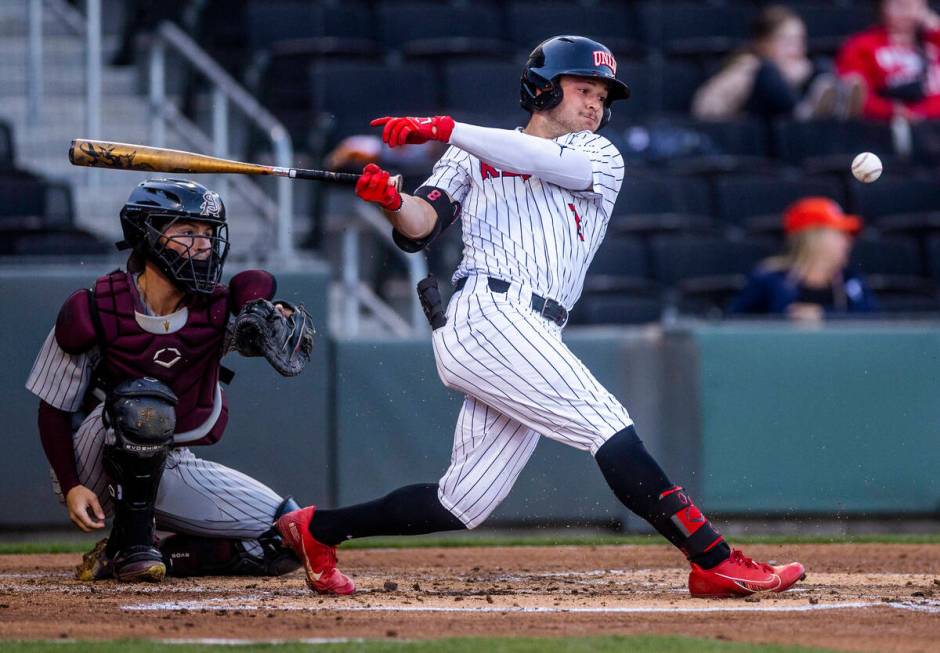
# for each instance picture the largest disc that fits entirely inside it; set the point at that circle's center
(142, 417)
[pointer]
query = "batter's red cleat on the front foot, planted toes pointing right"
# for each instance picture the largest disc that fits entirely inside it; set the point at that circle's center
(741, 576)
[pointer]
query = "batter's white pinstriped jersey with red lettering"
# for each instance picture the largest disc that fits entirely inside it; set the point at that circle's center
(520, 228)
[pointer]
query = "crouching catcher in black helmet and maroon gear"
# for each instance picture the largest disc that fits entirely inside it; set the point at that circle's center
(129, 380)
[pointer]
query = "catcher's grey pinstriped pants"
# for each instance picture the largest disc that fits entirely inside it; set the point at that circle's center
(196, 496)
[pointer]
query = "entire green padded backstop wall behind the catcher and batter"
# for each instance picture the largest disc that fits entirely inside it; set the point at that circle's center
(751, 418)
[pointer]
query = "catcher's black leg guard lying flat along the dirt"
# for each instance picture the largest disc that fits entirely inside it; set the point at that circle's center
(193, 555)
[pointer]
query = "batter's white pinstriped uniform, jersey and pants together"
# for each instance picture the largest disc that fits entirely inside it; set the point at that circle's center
(520, 380)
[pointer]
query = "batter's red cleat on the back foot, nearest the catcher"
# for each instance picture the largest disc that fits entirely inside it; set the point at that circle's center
(319, 559)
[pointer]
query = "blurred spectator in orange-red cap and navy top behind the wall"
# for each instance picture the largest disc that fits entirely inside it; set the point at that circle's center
(810, 280)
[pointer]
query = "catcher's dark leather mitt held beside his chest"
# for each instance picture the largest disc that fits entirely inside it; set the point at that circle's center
(261, 330)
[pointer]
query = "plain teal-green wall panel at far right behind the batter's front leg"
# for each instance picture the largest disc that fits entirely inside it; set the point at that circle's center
(844, 419)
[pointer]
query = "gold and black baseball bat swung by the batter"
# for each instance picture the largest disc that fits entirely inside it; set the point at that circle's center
(125, 156)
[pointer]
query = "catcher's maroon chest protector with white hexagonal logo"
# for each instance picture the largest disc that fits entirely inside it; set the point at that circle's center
(187, 360)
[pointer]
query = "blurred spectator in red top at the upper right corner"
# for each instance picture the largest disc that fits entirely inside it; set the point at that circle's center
(899, 60)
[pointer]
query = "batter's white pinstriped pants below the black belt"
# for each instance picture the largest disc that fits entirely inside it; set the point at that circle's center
(520, 382)
